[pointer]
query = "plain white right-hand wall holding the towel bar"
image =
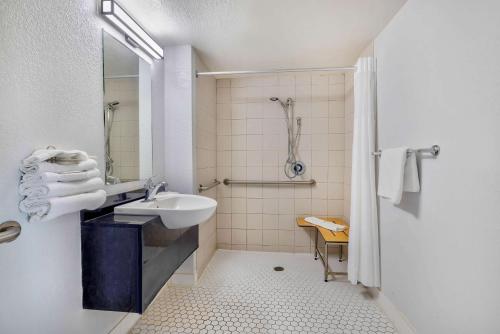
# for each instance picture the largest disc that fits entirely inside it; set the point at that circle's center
(439, 82)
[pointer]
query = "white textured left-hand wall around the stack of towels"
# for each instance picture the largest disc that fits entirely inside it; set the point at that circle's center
(51, 93)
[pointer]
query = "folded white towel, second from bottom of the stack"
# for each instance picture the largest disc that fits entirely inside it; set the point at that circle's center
(54, 189)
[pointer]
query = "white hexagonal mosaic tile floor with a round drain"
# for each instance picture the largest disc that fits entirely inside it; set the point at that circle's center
(241, 293)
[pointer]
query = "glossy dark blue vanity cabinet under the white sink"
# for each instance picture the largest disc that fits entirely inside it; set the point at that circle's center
(127, 259)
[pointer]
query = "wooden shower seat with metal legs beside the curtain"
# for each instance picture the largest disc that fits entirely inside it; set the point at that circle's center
(331, 238)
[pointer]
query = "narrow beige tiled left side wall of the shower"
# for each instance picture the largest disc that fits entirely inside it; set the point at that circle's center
(206, 153)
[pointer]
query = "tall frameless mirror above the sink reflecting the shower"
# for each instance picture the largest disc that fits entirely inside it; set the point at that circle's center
(127, 113)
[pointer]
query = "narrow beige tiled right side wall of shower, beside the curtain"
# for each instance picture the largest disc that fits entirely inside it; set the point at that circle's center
(349, 122)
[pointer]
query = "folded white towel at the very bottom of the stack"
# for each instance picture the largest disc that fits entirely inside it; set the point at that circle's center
(43, 209)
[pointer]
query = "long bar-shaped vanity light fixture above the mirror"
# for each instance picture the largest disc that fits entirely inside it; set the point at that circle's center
(134, 34)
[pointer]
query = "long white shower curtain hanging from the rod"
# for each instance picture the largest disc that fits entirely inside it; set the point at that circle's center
(364, 257)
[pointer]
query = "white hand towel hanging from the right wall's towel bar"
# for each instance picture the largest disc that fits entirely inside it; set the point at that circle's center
(391, 173)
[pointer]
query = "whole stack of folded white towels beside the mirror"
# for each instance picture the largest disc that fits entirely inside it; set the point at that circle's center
(57, 182)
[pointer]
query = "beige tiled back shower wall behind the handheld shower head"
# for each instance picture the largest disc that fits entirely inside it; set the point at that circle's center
(252, 145)
